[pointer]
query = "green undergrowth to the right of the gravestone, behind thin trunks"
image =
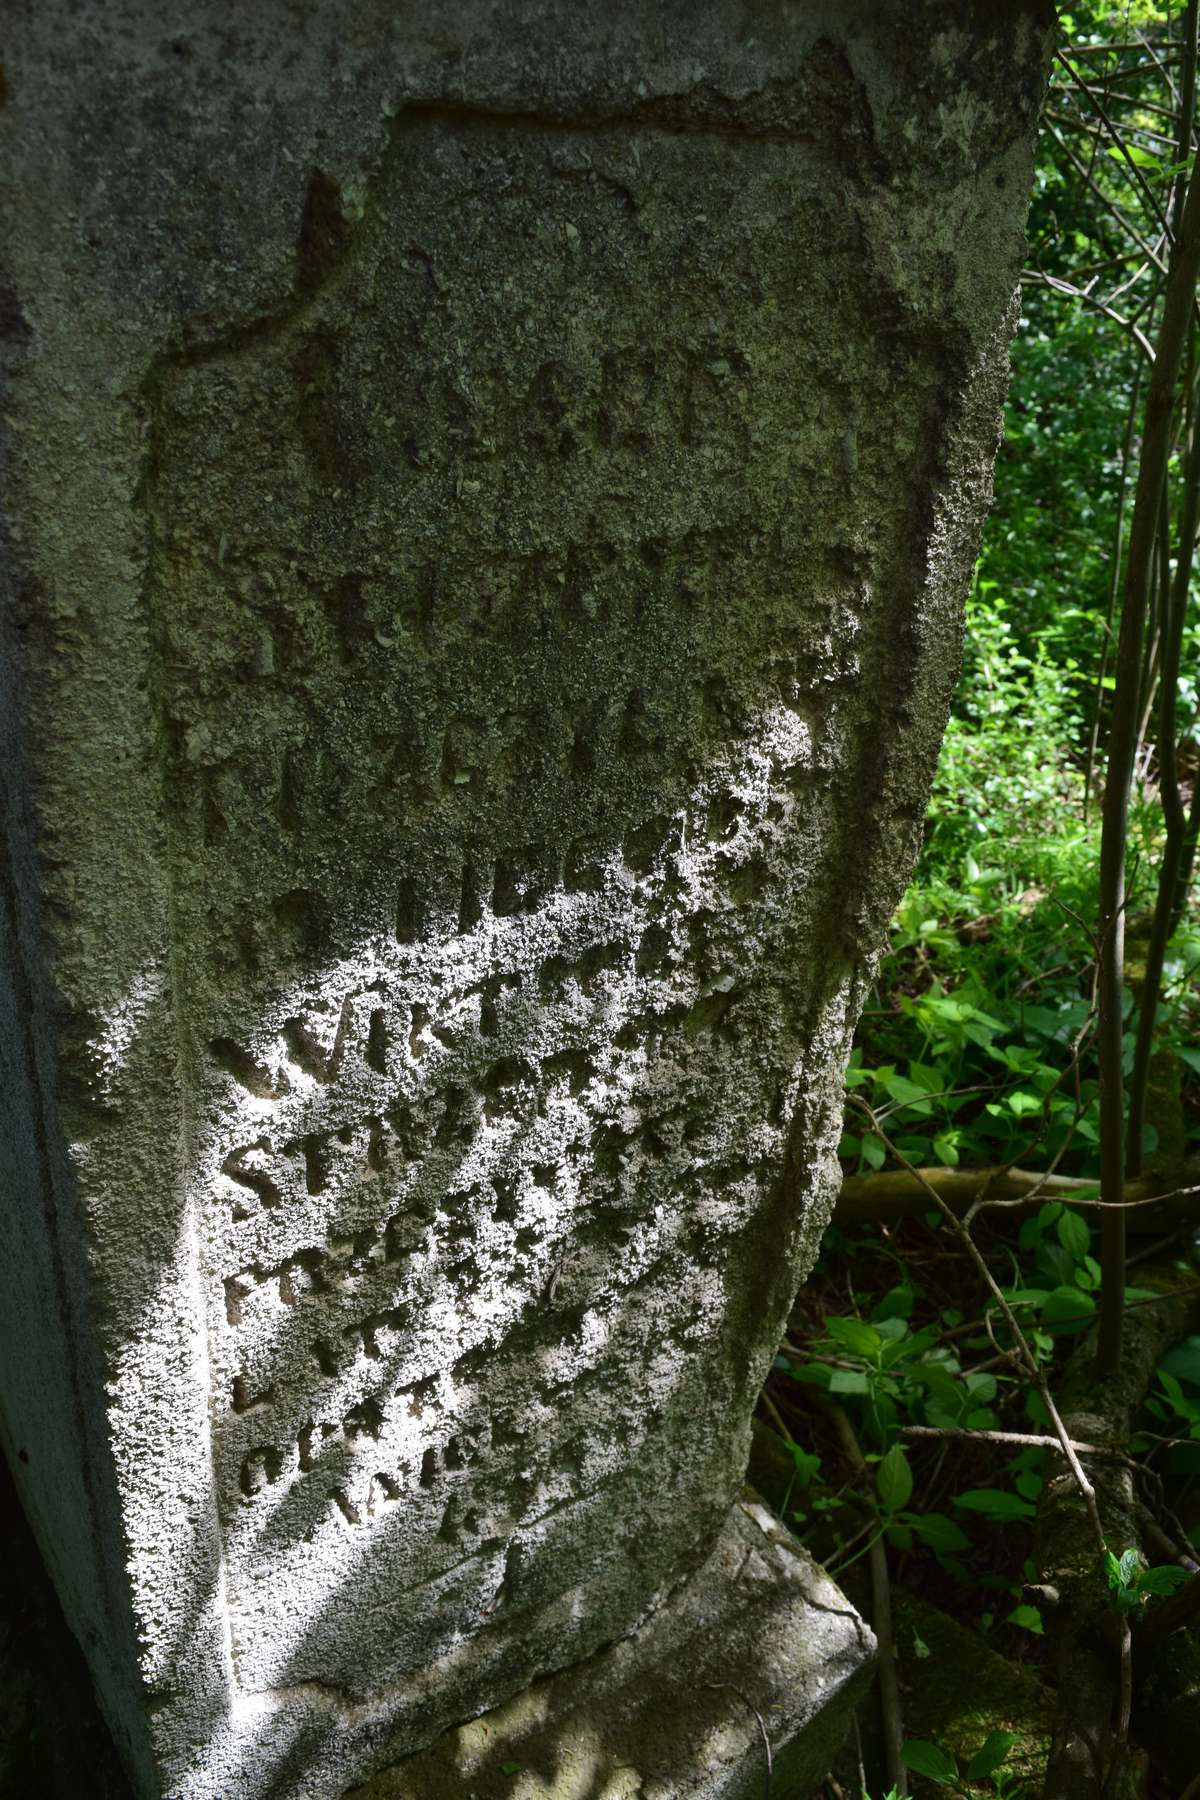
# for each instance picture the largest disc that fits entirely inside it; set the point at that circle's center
(909, 1430)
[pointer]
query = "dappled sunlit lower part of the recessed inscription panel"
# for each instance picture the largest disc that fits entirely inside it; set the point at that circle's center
(407, 1191)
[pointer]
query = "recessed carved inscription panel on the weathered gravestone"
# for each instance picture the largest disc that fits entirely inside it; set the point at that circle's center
(505, 631)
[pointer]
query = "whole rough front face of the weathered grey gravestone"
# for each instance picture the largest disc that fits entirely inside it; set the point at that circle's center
(490, 498)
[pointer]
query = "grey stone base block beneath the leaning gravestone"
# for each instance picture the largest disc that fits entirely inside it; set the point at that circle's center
(758, 1642)
